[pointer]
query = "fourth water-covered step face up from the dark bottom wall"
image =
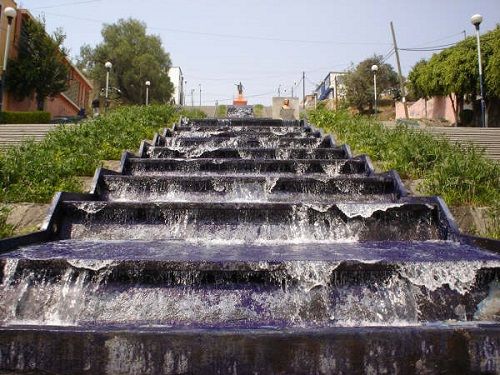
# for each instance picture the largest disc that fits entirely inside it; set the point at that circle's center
(150, 167)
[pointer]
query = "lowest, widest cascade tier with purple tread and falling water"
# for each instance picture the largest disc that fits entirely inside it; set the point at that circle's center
(248, 286)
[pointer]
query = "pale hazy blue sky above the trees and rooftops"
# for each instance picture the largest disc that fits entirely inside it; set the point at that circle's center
(267, 44)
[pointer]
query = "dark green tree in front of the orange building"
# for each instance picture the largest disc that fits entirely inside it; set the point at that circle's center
(40, 67)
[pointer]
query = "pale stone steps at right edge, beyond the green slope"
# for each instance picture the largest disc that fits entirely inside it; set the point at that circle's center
(488, 138)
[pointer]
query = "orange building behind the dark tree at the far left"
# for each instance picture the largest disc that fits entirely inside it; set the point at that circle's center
(68, 103)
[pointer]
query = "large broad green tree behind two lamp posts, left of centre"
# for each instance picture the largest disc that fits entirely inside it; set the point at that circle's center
(136, 58)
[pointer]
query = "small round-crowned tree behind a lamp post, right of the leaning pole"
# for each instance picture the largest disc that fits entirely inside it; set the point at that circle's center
(359, 82)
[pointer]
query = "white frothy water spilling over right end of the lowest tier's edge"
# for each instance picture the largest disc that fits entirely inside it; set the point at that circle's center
(459, 276)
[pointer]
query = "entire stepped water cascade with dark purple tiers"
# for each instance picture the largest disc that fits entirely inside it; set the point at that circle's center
(248, 246)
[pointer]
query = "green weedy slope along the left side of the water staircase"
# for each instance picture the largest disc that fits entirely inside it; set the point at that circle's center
(33, 172)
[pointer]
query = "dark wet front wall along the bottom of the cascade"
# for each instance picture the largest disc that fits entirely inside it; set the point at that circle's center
(448, 349)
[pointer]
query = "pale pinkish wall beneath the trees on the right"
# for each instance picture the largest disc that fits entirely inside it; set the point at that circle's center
(437, 108)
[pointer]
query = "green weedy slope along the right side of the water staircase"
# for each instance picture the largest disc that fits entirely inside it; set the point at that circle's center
(462, 175)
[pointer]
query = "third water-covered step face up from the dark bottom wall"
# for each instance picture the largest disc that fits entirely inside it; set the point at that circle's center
(256, 187)
